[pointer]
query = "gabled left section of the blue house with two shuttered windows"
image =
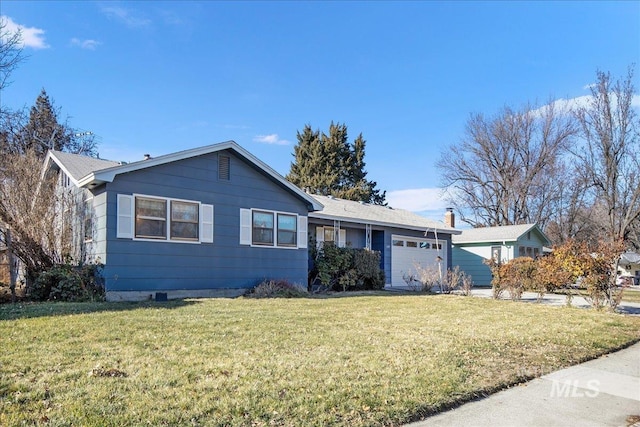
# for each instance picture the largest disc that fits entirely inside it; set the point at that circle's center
(208, 221)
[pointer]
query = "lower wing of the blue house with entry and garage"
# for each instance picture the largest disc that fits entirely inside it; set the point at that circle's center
(404, 239)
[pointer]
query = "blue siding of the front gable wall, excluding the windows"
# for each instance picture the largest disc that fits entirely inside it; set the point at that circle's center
(225, 264)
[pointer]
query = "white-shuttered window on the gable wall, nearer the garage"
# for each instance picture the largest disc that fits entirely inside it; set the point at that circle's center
(265, 228)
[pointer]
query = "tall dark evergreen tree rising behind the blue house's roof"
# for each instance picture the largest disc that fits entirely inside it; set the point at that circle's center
(328, 164)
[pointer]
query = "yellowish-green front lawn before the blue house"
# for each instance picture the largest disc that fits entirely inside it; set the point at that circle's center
(361, 360)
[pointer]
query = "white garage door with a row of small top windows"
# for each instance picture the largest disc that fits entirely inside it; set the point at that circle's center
(409, 252)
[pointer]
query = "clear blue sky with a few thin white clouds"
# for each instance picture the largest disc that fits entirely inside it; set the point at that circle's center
(158, 77)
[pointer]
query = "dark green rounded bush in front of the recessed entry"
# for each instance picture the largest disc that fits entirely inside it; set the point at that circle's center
(346, 269)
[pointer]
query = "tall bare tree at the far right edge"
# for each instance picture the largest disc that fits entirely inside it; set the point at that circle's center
(609, 158)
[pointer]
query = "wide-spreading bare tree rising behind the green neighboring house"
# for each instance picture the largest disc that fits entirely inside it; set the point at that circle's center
(503, 171)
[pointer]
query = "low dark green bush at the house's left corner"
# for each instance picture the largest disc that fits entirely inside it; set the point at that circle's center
(65, 282)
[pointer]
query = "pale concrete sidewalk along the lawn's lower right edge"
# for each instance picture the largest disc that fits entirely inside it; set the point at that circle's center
(601, 392)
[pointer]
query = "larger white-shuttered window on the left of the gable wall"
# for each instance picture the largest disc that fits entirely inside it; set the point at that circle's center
(142, 217)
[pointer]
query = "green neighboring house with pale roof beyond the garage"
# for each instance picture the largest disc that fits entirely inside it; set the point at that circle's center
(473, 246)
